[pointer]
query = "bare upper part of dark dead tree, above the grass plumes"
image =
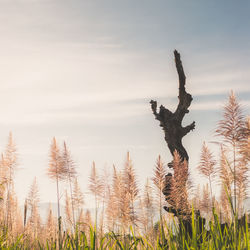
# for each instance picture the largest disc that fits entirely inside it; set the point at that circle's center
(170, 122)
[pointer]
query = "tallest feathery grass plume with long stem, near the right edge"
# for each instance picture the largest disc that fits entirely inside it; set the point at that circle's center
(232, 130)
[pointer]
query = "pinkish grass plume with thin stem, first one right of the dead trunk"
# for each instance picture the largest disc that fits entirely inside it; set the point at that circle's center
(207, 166)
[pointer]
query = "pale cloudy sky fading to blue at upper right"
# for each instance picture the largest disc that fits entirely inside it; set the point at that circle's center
(84, 71)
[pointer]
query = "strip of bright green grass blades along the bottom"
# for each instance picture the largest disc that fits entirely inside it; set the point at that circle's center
(232, 236)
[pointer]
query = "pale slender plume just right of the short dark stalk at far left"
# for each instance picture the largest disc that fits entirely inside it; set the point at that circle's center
(32, 201)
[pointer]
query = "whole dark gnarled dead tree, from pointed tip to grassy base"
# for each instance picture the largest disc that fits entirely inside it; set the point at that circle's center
(171, 123)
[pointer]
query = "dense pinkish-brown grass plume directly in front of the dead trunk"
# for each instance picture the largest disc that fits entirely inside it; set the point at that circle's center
(180, 185)
